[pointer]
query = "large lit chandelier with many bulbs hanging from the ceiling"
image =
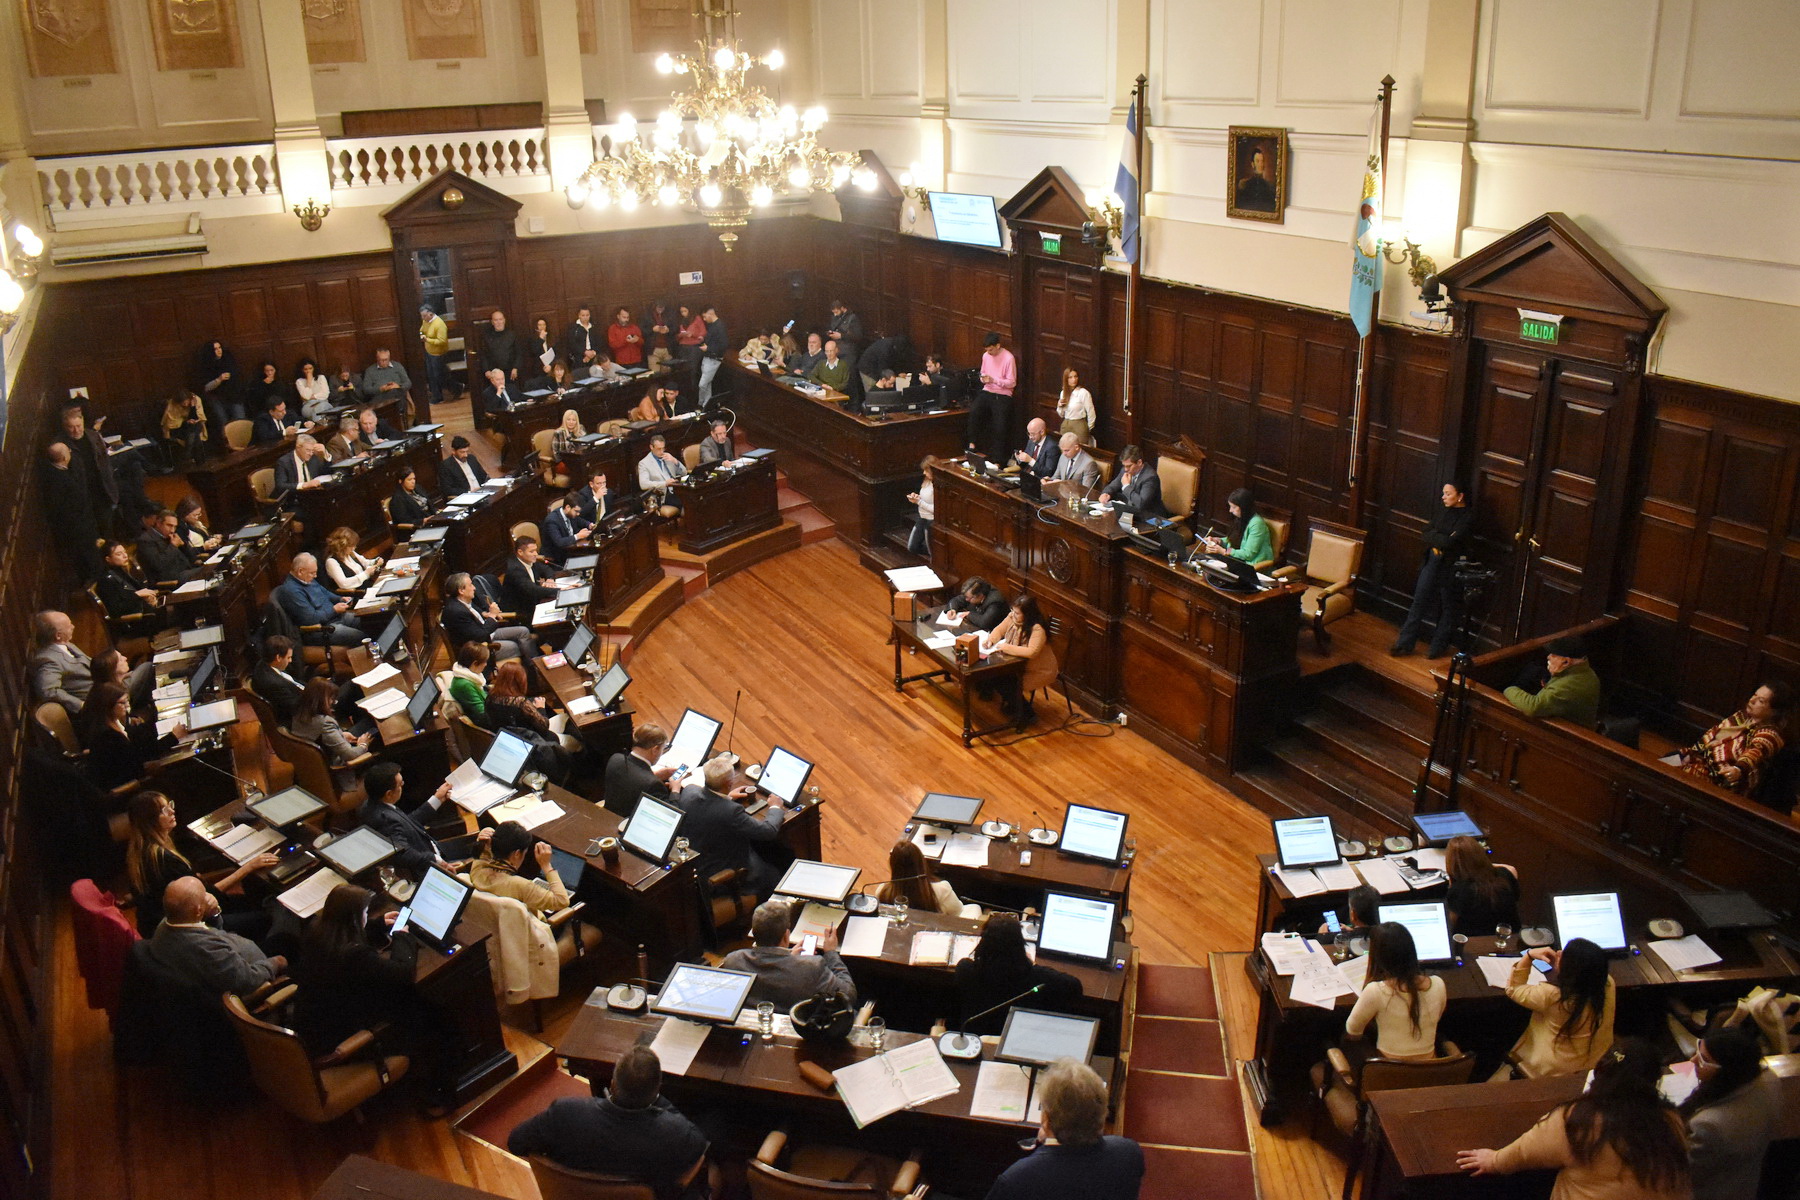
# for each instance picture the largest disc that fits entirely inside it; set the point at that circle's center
(741, 152)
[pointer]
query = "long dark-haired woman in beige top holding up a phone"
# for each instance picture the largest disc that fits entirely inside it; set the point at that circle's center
(1572, 1019)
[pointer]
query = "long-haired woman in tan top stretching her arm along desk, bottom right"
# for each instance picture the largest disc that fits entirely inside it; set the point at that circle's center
(1615, 1142)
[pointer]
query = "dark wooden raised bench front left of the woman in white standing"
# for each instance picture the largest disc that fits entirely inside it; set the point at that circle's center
(856, 469)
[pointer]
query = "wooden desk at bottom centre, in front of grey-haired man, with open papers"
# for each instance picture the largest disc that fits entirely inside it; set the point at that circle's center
(741, 1075)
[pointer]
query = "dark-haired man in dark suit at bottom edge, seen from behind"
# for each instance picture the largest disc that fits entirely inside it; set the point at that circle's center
(631, 1131)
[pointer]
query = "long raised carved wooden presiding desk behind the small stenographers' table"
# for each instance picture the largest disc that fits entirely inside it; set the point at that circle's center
(1205, 672)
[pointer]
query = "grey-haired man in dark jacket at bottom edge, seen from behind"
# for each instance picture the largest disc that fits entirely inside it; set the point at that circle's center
(1074, 1160)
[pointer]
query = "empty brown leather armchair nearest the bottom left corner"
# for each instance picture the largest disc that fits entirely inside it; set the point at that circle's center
(314, 1089)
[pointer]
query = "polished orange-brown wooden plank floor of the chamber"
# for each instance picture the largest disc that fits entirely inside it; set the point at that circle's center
(804, 638)
